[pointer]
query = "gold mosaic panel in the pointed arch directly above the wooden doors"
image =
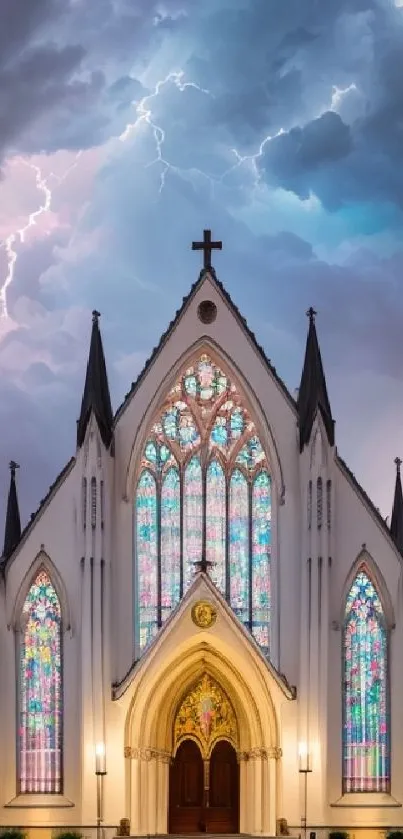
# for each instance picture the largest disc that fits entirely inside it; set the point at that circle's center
(206, 714)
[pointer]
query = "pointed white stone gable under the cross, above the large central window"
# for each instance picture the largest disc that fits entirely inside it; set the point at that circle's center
(207, 322)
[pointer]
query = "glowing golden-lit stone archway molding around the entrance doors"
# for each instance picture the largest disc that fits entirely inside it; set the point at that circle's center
(150, 742)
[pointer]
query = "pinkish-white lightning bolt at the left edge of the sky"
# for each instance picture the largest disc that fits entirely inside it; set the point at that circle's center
(17, 238)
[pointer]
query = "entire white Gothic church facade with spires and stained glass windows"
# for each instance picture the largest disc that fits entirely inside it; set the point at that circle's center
(203, 619)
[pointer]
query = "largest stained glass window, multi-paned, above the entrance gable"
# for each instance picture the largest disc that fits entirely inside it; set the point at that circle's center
(203, 491)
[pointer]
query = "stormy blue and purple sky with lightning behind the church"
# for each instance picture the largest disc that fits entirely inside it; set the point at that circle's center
(128, 126)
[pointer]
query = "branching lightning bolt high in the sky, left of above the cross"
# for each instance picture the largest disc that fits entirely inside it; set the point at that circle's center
(144, 115)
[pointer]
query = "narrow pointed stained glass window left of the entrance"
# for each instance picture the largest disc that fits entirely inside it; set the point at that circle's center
(40, 726)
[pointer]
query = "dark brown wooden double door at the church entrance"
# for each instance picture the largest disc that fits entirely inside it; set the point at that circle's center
(204, 795)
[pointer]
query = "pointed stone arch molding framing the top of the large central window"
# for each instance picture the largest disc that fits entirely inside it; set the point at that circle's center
(263, 427)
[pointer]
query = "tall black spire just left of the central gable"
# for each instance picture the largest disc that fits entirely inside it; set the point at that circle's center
(96, 395)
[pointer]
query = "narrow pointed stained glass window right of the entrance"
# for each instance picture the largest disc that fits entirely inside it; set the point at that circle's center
(366, 742)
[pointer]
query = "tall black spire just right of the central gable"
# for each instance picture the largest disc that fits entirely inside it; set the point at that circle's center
(312, 394)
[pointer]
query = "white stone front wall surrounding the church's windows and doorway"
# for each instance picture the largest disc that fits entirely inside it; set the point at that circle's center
(92, 569)
